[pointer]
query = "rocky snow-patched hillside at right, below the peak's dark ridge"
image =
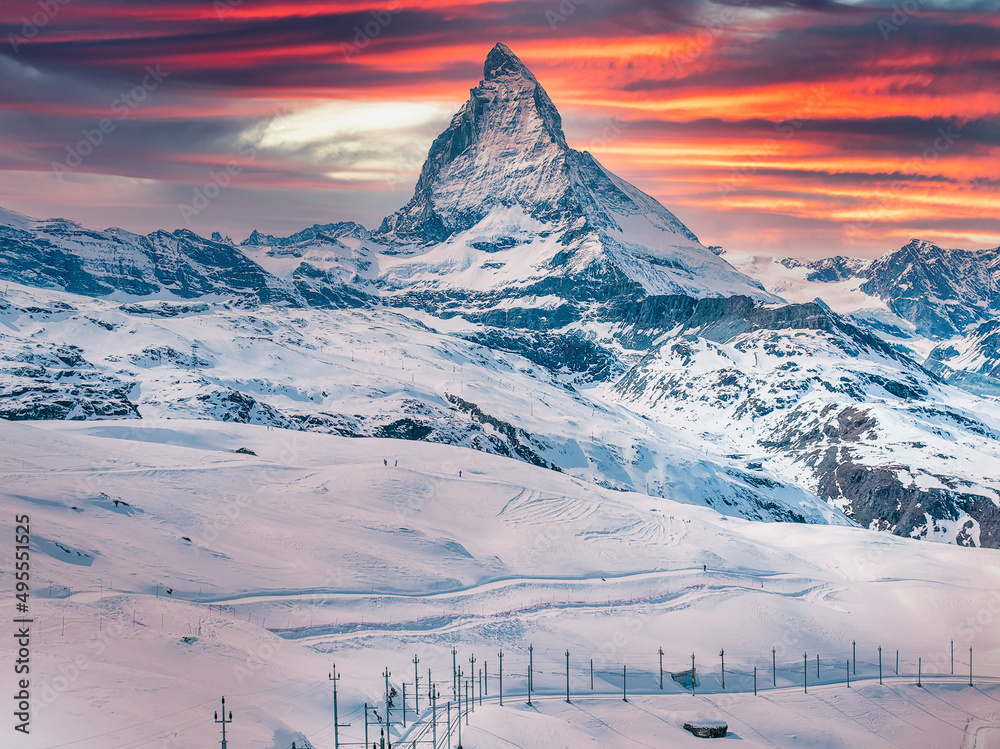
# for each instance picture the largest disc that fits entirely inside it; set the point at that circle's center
(836, 410)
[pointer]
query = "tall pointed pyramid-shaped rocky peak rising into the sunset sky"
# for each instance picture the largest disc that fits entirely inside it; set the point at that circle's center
(503, 201)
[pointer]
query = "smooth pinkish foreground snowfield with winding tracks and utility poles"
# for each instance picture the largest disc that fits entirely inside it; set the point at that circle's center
(168, 571)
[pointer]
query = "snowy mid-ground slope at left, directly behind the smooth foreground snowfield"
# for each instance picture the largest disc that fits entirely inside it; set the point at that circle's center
(364, 373)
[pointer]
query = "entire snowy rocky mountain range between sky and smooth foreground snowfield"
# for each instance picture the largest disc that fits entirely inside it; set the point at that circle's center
(527, 302)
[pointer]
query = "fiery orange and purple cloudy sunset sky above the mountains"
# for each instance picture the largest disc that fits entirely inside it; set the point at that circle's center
(808, 127)
